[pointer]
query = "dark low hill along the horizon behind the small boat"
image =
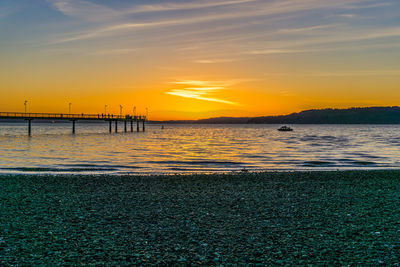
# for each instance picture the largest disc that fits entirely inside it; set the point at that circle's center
(370, 115)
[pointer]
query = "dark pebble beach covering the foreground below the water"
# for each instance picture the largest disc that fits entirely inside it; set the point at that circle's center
(299, 218)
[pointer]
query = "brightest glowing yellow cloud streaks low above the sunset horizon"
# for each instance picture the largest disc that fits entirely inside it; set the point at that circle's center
(203, 90)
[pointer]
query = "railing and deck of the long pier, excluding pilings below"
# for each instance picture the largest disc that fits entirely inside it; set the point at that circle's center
(62, 116)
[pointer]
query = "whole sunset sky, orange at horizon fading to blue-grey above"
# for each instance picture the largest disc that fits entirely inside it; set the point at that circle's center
(185, 59)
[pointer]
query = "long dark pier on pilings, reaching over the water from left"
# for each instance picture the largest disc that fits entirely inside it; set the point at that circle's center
(110, 118)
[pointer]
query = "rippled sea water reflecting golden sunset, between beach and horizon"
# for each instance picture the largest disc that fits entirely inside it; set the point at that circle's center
(195, 148)
